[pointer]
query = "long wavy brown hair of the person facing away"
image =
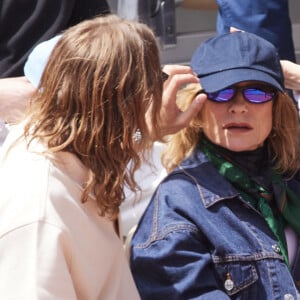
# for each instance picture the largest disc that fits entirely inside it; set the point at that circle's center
(102, 77)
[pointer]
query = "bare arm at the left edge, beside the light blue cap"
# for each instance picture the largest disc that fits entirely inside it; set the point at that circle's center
(15, 93)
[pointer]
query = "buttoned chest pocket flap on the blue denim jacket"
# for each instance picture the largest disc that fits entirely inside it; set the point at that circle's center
(235, 275)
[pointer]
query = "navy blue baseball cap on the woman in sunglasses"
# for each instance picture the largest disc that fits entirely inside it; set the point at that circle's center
(230, 58)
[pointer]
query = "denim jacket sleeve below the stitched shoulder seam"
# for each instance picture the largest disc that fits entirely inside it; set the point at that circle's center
(175, 267)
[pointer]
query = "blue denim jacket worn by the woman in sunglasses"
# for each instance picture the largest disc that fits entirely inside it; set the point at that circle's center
(198, 239)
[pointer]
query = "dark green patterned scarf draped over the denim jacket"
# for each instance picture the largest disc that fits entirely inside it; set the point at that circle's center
(287, 202)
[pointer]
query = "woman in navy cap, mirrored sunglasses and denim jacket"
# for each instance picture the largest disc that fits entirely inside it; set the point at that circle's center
(224, 224)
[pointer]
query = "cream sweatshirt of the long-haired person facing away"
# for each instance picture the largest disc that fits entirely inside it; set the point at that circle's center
(51, 245)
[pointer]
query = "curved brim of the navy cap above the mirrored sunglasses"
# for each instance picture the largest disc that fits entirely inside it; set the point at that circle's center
(222, 79)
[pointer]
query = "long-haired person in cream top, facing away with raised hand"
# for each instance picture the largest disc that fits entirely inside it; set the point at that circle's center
(63, 170)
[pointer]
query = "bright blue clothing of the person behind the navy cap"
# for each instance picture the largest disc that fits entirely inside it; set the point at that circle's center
(266, 18)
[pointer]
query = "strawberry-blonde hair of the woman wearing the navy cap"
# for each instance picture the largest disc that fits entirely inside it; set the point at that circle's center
(283, 141)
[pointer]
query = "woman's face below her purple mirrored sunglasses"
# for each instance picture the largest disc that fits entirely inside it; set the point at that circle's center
(237, 125)
